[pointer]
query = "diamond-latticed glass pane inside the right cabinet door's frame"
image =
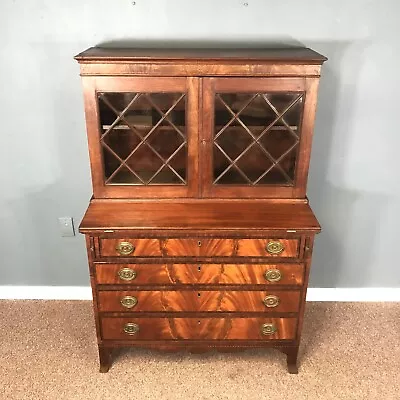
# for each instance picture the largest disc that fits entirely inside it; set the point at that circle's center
(256, 138)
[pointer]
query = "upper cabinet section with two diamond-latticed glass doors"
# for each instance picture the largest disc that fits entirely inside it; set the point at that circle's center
(164, 128)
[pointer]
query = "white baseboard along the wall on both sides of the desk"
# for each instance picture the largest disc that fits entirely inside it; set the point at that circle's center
(85, 293)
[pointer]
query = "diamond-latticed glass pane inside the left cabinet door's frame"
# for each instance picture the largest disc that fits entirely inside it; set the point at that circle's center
(143, 137)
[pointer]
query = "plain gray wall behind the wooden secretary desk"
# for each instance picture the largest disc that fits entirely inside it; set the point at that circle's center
(354, 181)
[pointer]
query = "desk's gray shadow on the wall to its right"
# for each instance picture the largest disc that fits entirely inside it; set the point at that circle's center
(345, 250)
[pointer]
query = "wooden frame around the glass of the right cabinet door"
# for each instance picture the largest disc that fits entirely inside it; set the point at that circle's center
(210, 86)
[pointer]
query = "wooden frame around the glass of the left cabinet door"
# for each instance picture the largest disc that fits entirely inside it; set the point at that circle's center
(189, 85)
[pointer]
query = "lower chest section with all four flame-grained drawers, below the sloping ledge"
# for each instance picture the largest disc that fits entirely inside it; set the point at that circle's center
(203, 292)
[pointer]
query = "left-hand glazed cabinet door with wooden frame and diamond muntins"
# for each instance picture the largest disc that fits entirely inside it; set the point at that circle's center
(143, 137)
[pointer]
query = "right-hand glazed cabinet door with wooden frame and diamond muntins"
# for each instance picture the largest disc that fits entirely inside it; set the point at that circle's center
(253, 134)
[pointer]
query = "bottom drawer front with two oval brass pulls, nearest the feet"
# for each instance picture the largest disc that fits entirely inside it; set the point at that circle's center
(262, 329)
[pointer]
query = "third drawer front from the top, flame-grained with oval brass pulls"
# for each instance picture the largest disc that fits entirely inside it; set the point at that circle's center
(199, 301)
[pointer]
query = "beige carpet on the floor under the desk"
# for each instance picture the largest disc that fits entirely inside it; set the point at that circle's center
(349, 351)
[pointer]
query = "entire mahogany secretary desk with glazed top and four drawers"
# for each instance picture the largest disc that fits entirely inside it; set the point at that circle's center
(199, 233)
